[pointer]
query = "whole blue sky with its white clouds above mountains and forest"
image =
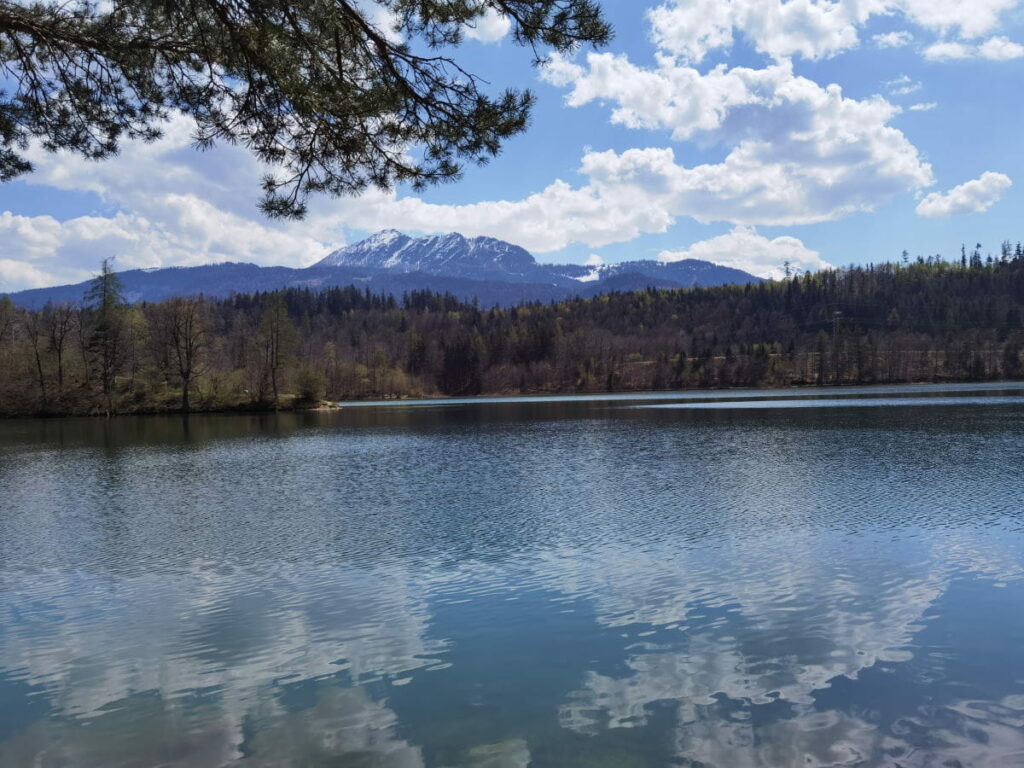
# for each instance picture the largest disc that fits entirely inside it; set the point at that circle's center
(748, 133)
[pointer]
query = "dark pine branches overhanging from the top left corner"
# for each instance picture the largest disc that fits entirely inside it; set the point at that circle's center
(326, 94)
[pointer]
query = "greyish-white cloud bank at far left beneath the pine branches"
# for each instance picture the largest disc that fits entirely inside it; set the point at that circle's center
(170, 205)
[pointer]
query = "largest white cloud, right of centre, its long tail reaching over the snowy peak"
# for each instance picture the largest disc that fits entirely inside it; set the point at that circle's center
(800, 154)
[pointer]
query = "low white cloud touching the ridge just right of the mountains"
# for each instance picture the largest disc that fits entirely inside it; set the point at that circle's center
(745, 249)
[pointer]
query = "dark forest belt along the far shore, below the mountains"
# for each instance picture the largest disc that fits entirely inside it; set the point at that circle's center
(924, 320)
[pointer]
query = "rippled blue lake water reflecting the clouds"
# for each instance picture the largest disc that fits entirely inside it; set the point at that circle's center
(815, 578)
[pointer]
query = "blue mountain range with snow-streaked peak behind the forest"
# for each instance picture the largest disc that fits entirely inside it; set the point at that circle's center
(491, 271)
